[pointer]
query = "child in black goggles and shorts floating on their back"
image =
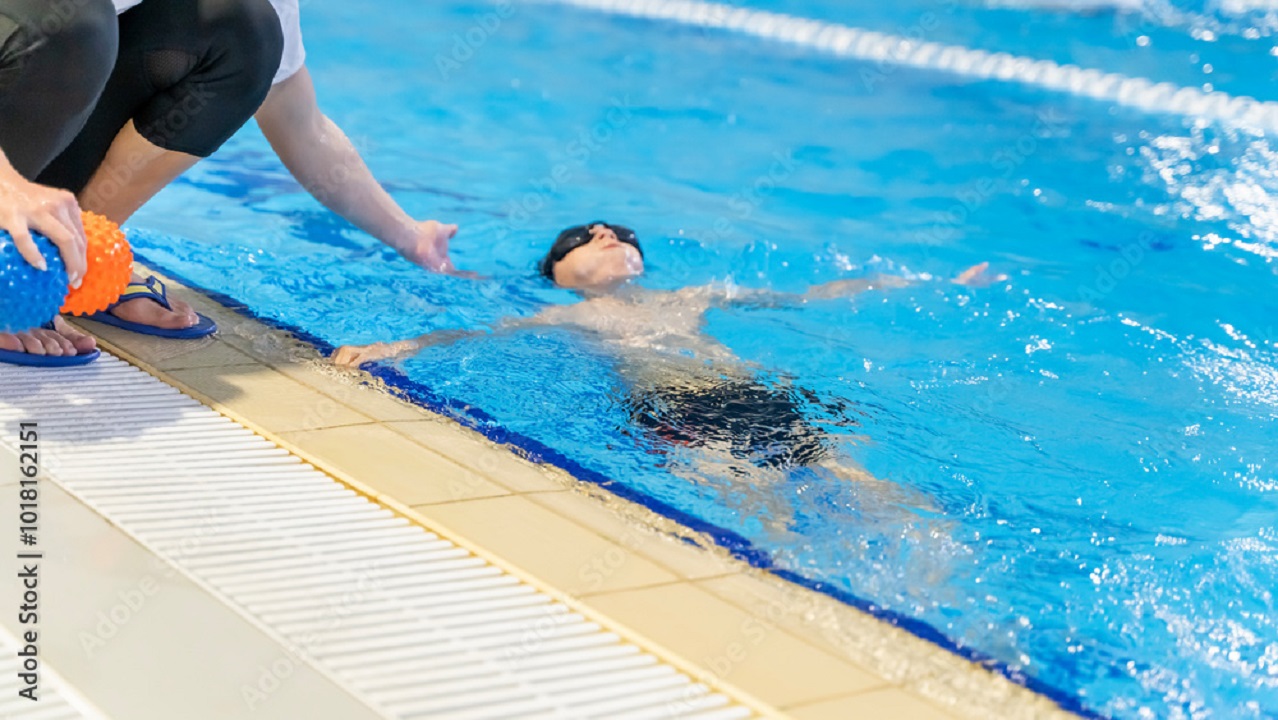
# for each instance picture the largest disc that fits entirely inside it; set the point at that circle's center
(686, 388)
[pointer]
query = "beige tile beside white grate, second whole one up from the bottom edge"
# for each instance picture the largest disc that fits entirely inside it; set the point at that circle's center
(543, 544)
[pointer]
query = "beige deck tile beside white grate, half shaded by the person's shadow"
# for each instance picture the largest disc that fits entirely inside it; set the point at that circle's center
(265, 398)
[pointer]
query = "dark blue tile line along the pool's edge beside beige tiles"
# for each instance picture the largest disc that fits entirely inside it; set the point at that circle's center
(735, 544)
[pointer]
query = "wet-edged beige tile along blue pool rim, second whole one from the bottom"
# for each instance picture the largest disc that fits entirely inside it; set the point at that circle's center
(641, 535)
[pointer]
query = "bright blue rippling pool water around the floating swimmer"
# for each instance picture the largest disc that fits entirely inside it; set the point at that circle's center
(1079, 462)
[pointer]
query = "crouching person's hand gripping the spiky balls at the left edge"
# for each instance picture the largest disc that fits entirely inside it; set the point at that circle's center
(56, 214)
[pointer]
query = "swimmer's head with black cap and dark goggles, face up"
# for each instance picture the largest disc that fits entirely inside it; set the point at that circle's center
(597, 255)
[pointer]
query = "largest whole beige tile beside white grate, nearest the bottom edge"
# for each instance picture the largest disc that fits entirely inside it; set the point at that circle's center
(734, 645)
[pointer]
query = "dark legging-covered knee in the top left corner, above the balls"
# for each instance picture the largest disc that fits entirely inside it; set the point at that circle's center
(54, 62)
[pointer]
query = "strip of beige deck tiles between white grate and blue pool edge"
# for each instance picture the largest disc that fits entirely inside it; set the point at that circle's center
(780, 648)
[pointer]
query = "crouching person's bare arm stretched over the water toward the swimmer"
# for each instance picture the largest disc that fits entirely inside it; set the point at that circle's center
(320, 157)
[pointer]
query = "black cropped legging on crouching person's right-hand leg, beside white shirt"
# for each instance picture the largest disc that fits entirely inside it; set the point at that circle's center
(189, 75)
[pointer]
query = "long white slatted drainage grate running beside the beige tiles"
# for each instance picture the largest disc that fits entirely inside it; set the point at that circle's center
(403, 620)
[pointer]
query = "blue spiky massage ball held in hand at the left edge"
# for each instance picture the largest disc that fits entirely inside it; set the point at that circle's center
(30, 297)
